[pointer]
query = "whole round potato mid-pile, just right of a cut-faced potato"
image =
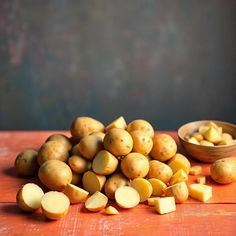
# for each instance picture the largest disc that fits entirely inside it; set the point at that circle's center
(134, 165)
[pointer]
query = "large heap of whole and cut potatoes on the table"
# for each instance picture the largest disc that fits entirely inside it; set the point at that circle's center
(126, 163)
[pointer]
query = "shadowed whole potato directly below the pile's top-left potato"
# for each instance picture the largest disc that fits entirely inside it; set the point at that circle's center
(90, 145)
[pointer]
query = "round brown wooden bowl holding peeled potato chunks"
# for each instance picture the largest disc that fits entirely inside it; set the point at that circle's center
(205, 153)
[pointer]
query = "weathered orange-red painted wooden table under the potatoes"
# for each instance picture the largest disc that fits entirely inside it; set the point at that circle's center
(217, 217)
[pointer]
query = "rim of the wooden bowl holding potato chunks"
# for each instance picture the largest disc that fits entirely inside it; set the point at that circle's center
(205, 121)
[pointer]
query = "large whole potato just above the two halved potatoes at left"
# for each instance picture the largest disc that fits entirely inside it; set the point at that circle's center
(55, 174)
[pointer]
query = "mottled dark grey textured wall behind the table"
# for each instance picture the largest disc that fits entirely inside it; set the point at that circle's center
(165, 61)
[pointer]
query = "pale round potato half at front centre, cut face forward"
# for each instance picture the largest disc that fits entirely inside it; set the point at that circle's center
(127, 197)
